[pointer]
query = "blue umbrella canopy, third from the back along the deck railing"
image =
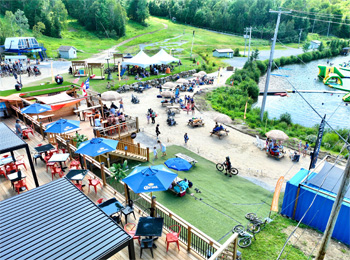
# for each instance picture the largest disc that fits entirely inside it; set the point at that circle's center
(97, 146)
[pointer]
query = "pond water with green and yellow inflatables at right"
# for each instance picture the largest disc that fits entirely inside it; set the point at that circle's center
(304, 77)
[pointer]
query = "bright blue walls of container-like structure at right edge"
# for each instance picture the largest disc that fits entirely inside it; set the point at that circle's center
(317, 216)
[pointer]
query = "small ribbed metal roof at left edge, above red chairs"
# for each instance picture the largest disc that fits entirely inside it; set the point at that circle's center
(9, 141)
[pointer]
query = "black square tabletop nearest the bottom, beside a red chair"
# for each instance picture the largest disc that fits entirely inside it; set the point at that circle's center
(150, 227)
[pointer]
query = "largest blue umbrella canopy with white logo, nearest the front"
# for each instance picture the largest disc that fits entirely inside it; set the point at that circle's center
(150, 179)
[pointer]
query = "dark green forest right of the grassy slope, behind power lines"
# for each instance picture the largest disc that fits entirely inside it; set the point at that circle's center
(235, 15)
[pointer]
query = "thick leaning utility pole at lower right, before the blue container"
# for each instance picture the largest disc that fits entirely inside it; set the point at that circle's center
(335, 211)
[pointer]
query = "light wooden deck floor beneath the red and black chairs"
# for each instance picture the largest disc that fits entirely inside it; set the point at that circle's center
(160, 253)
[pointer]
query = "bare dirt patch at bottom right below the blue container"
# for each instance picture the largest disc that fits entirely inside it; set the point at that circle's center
(306, 240)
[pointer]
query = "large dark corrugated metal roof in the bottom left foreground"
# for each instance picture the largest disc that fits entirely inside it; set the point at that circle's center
(57, 221)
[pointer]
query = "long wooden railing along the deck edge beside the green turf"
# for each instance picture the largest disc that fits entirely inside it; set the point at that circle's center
(196, 241)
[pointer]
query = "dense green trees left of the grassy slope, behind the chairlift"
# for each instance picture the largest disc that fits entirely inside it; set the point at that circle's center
(49, 17)
